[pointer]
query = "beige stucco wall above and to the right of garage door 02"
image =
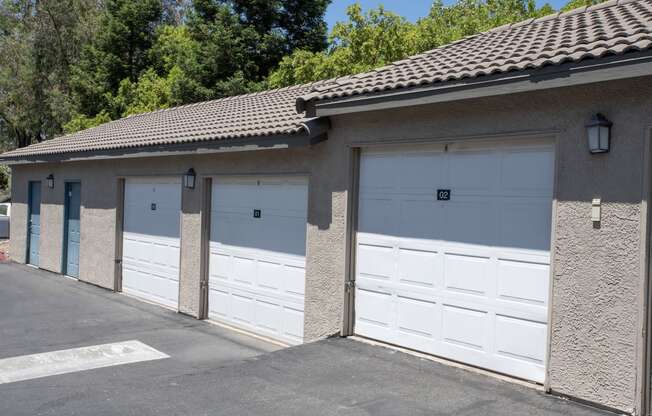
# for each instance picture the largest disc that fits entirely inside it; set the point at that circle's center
(596, 341)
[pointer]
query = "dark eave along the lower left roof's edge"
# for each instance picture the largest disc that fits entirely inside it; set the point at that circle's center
(314, 131)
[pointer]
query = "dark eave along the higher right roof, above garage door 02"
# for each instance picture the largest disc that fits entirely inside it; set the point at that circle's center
(629, 65)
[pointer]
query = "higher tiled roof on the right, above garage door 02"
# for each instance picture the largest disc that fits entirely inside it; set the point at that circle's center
(610, 28)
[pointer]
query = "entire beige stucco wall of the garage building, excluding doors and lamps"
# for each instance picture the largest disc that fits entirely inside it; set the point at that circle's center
(596, 342)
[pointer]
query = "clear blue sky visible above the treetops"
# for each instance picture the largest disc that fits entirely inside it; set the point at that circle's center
(410, 9)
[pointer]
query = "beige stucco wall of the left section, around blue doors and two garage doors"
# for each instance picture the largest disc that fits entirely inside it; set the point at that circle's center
(99, 181)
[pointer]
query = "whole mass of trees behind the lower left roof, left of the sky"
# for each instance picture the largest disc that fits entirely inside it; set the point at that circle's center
(72, 64)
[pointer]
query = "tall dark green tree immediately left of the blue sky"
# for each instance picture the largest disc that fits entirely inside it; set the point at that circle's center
(240, 42)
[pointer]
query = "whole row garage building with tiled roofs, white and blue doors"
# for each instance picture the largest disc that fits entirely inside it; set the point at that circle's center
(453, 203)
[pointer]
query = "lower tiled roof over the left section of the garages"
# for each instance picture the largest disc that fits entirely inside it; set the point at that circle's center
(253, 115)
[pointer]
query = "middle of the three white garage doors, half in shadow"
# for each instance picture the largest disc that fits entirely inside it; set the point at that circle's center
(257, 255)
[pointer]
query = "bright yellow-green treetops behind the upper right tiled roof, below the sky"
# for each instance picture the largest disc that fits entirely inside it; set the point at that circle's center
(378, 37)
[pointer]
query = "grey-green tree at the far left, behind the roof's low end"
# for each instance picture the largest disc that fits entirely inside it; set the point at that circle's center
(38, 41)
